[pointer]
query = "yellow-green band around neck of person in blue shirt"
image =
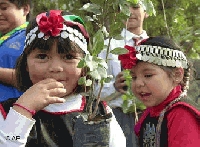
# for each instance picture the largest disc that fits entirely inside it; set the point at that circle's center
(6, 36)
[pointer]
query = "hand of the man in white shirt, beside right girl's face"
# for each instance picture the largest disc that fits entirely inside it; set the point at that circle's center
(120, 84)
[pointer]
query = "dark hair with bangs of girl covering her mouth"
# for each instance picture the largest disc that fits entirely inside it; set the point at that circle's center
(64, 45)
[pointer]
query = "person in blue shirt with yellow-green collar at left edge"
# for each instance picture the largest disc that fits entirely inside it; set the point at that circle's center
(13, 17)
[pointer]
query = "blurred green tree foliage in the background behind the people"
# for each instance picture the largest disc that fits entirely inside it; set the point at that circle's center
(182, 20)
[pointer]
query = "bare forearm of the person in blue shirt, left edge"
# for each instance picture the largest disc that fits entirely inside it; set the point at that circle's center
(7, 76)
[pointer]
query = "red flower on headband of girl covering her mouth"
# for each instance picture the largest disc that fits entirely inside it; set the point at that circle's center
(50, 24)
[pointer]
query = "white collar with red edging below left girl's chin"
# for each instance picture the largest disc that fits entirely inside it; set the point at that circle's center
(73, 103)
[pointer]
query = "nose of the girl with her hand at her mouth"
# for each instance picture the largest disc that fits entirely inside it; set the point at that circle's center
(55, 65)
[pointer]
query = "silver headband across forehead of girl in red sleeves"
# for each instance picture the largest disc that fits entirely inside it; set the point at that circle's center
(161, 56)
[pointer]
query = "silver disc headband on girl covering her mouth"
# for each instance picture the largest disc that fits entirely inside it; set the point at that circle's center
(67, 32)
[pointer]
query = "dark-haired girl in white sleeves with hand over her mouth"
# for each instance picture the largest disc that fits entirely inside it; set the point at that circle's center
(47, 72)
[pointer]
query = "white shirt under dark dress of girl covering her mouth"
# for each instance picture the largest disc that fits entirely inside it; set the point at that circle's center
(16, 124)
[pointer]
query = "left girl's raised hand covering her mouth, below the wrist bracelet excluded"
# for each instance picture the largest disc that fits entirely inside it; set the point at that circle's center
(42, 94)
